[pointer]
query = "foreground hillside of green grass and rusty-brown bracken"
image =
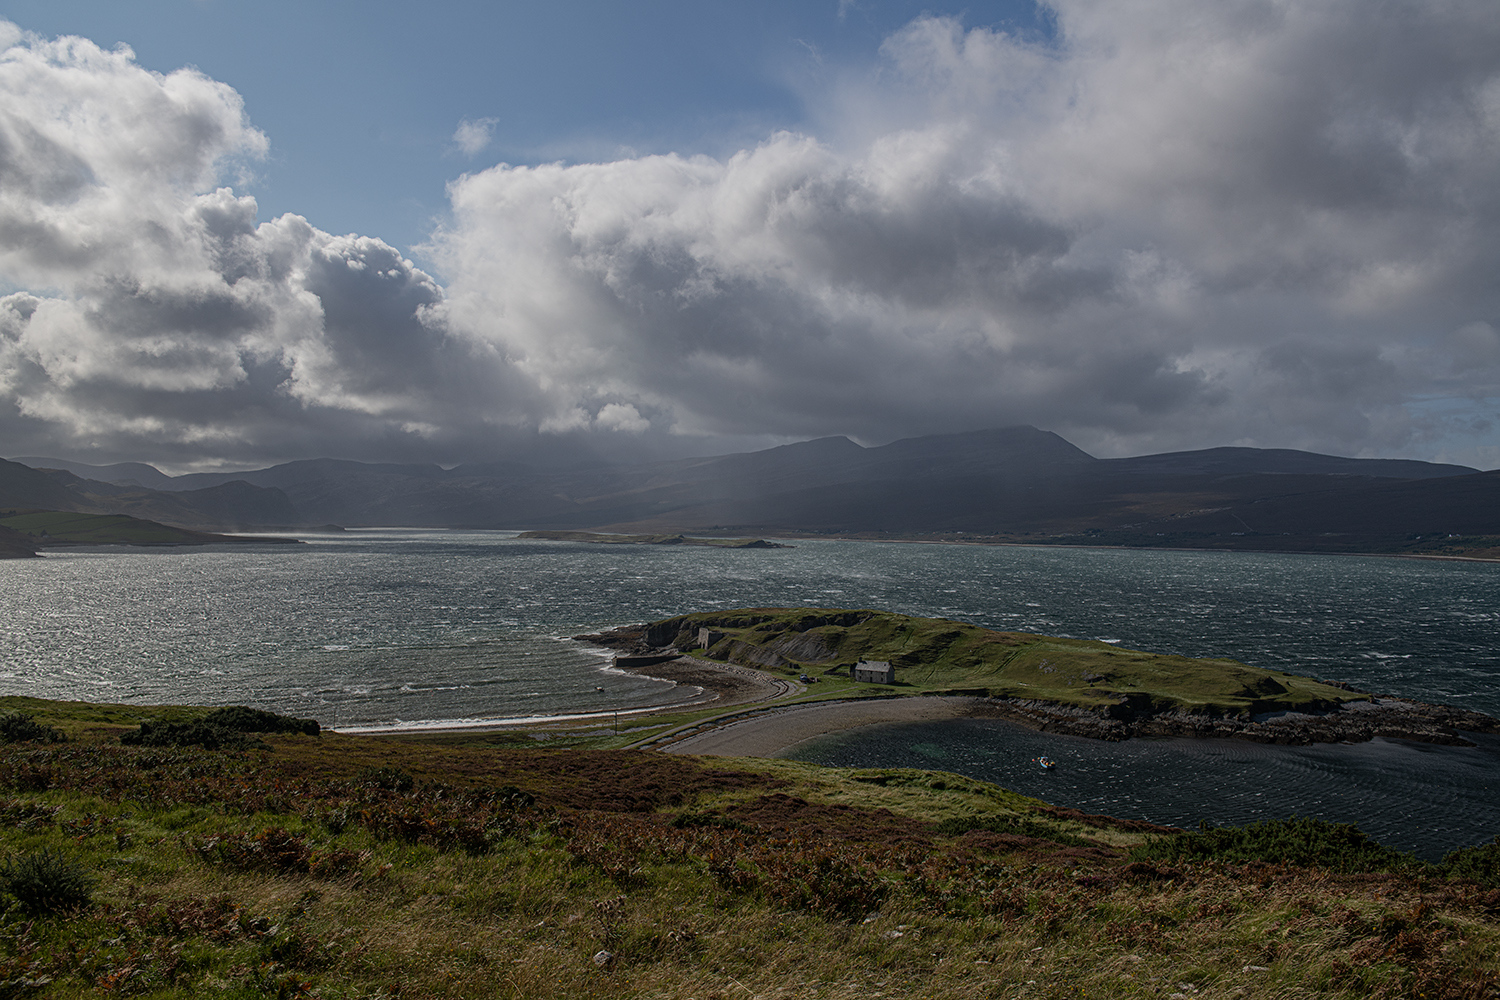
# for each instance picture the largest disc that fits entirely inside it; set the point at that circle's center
(361, 867)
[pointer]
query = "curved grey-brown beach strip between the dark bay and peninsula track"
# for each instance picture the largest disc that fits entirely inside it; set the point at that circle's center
(778, 731)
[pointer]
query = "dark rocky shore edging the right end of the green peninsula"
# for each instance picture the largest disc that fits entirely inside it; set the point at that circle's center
(1349, 723)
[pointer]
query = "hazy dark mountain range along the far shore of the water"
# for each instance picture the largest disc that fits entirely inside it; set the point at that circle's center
(1004, 485)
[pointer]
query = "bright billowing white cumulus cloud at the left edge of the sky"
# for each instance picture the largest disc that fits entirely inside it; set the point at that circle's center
(169, 323)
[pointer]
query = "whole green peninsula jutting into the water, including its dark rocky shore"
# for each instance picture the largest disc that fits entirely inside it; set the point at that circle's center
(1075, 686)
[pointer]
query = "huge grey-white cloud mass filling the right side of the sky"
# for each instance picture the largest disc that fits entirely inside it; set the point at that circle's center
(1175, 226)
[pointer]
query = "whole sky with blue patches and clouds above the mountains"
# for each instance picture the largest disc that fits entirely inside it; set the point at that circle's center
(238, 235)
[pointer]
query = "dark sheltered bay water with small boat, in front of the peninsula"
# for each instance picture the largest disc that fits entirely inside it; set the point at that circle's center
(1412, 797)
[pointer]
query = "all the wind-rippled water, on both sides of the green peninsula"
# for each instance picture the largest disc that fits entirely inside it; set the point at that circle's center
(427, 627)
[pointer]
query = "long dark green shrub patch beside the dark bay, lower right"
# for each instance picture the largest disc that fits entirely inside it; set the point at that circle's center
(1301, 842)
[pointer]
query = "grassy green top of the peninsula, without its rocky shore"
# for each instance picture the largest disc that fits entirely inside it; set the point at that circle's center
(934, 654)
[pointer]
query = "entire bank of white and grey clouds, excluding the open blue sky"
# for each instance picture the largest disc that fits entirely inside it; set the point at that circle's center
(1178, 226)
